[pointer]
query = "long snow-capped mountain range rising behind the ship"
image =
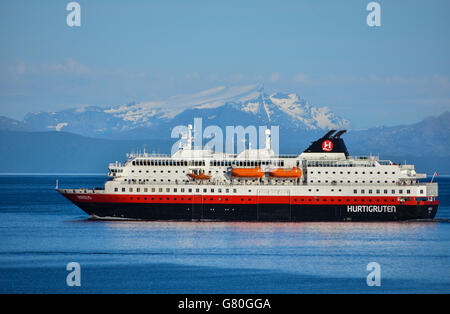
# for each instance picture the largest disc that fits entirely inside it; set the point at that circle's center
(237, 105)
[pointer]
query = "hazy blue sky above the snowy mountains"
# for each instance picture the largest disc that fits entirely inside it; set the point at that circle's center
(146, 50)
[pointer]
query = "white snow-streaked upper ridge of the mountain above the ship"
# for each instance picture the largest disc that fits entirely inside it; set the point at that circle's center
(249, 98)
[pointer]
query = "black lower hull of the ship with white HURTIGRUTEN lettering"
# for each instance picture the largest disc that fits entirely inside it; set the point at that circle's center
(260, 212)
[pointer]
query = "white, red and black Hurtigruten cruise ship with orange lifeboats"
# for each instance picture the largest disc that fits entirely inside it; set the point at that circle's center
(323, 183)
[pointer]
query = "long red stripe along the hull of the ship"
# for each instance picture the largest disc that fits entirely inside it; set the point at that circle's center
(236, 199)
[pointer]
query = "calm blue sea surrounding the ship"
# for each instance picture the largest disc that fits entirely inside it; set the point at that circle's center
(41, 232)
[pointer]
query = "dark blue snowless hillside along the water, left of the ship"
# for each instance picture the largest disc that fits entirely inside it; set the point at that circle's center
(61, 152)
